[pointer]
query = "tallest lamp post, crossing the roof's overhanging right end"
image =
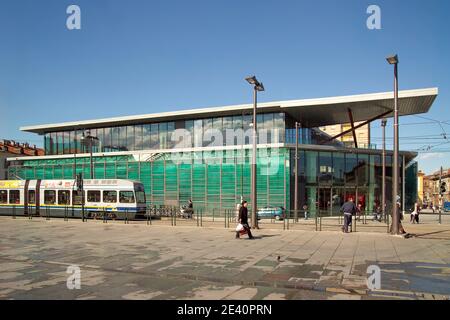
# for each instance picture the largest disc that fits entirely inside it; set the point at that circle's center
(393, 60)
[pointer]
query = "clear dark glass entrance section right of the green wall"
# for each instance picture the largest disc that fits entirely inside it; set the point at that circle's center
(328, 179)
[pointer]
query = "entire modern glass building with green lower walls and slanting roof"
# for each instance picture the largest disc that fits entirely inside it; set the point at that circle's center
(205, 154)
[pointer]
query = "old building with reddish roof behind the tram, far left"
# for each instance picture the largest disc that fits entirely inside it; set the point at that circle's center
(10, 148)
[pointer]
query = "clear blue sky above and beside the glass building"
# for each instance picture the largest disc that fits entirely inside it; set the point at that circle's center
(136, 56)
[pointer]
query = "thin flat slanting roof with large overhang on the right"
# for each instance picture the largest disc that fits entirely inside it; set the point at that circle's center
(309, 112)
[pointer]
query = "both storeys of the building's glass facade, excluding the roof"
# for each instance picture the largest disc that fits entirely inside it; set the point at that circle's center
(217, 179)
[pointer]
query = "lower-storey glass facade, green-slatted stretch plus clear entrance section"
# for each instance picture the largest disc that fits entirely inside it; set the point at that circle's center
(216, 180)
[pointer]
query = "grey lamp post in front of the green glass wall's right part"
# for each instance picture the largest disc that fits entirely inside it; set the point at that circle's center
(257, 86)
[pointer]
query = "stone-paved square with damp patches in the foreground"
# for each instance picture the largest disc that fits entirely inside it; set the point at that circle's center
(136, 261)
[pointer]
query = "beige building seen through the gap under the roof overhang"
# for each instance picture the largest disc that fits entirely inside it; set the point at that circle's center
(362, 134)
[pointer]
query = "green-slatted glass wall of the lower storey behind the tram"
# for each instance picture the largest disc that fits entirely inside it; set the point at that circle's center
(214, 180)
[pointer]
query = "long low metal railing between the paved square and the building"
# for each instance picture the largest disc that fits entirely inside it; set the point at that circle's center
(312, 220)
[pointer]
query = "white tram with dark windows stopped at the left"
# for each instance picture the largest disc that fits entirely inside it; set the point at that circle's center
(116, 198)
